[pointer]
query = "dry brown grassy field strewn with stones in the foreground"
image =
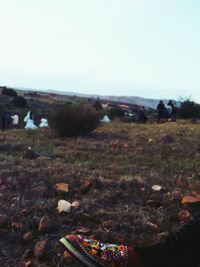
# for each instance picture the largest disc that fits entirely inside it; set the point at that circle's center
(110, 172)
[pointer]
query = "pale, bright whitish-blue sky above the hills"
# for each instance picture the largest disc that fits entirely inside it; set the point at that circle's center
(147, 48)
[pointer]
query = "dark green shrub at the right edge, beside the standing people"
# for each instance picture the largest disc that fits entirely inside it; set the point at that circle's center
(189, 109)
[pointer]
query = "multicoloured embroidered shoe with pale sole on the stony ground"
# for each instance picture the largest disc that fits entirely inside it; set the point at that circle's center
(97, 253)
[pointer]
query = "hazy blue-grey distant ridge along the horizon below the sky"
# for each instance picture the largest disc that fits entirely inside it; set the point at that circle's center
(133, 100)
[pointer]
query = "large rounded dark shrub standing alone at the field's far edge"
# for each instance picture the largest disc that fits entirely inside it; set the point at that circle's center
(76, 119)
